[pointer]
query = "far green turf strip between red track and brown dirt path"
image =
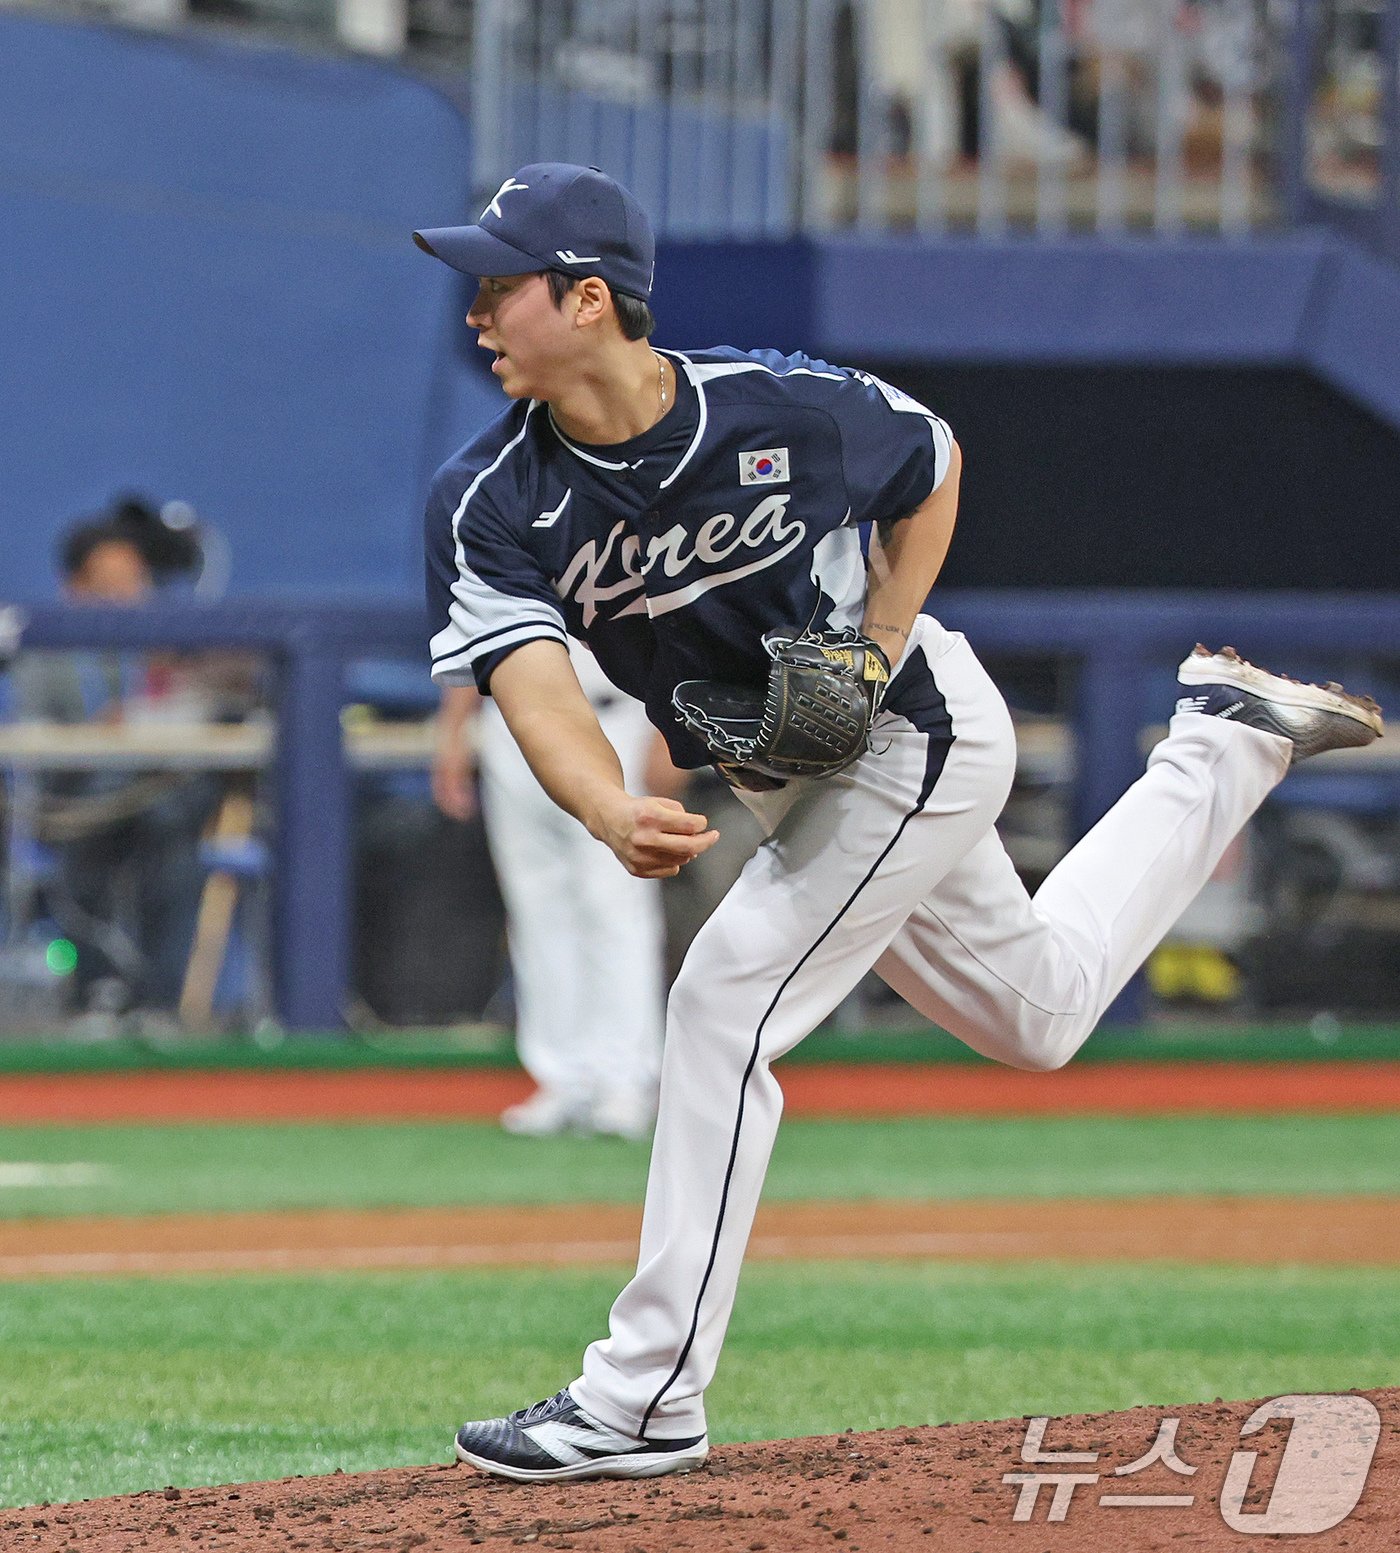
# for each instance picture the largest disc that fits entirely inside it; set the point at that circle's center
(223, 1169)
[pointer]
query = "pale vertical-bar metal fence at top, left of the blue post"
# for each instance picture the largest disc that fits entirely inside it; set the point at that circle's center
(924, 116)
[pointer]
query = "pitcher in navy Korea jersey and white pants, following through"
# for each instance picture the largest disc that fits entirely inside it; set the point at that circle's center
(697, 519)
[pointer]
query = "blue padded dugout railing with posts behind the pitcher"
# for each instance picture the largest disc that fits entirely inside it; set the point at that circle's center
(1123, 648)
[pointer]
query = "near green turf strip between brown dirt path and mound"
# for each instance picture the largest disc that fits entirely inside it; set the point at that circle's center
(116, 1386)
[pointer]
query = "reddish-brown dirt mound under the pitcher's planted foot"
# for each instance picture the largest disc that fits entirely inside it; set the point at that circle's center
(896, 1490)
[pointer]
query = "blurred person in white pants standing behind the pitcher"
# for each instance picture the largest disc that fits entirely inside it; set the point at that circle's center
(587, 939)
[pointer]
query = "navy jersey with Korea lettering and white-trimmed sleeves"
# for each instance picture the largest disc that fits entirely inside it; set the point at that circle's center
(672, 555)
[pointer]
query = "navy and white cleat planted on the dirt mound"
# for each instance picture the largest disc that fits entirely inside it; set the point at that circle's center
(557, 1440)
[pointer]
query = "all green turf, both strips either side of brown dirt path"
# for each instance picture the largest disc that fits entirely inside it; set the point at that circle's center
(124, 1384)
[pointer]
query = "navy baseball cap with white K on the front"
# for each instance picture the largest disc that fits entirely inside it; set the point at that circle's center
(554, 217)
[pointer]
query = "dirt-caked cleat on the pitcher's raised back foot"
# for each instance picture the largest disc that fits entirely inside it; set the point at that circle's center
(1314, 718)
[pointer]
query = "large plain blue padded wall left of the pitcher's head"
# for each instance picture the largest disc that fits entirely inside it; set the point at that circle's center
(212, 294)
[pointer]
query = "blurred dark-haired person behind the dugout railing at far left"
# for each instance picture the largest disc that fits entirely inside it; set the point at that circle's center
(127, 844)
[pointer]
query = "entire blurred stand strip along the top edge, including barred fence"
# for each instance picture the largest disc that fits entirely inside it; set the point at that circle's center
(771, 117)
